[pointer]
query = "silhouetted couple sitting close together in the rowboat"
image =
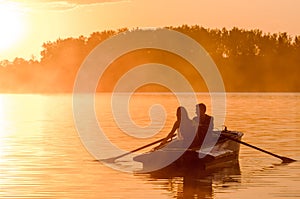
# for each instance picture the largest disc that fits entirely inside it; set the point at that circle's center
(191, 133)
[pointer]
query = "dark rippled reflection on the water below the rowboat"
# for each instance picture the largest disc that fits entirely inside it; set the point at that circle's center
(197, 183)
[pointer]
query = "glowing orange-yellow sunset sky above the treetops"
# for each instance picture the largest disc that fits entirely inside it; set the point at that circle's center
(26, 25)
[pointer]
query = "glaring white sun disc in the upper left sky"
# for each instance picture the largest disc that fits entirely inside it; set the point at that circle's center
(11, 24)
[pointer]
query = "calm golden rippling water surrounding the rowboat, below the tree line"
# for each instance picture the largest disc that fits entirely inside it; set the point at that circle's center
(42, 155)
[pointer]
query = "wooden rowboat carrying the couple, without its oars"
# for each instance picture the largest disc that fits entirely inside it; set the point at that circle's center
(215, 153)
